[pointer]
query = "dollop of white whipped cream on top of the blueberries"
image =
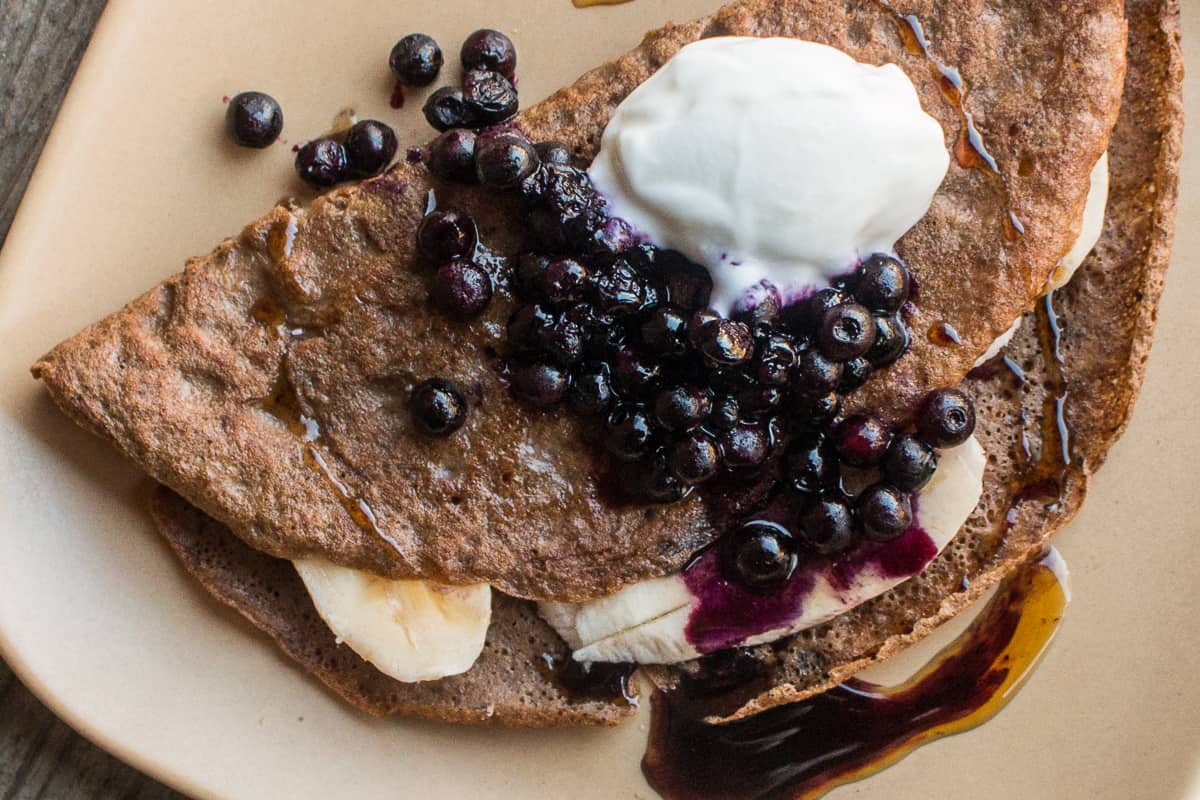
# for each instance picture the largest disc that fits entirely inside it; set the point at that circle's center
(773, 163)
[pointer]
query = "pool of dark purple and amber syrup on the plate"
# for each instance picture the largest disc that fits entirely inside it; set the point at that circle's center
(856, 730)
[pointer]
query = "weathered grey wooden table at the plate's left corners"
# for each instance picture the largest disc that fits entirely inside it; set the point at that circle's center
(41, 43)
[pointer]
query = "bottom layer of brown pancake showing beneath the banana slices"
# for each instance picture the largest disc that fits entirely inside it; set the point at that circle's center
(1108, 312)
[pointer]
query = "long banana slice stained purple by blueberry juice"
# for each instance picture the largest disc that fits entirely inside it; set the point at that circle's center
(665, 622)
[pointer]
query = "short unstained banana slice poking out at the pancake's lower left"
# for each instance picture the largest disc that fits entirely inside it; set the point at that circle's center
(410, 630)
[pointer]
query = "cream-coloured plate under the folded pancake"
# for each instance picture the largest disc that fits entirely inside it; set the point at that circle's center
(101, 624)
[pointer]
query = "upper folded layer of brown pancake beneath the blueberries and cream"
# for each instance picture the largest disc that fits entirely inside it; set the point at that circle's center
(321, 315)
